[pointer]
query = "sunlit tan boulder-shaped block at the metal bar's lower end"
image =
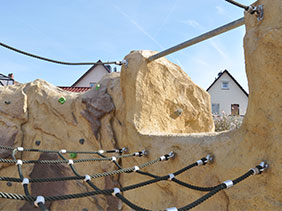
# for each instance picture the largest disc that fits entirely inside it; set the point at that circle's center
(161, 98)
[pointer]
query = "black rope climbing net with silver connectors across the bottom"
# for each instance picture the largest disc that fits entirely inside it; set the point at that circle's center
(39, 201)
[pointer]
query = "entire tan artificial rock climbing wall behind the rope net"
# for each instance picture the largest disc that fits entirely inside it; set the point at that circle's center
(154, 106)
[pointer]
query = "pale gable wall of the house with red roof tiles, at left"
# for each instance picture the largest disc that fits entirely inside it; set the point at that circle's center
(93, 76)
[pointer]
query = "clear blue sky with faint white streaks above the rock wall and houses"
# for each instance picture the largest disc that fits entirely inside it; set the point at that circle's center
(89, 30)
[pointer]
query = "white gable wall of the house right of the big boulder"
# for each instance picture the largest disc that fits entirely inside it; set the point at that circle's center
(233, 95)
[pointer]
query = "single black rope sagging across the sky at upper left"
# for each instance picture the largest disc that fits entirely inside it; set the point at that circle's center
(56, 61)
